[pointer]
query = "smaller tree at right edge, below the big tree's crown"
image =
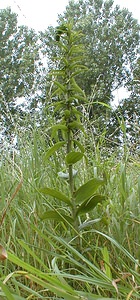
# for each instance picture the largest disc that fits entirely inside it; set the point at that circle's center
(124, 121)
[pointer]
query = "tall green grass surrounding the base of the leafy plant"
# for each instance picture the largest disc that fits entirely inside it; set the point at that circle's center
(43, 262)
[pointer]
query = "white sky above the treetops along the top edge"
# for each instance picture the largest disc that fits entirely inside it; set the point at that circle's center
(39, 14)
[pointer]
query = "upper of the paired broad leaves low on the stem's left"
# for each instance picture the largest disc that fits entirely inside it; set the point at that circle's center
(55, 193)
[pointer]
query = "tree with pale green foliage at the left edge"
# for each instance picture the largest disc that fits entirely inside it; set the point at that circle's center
(19, 55)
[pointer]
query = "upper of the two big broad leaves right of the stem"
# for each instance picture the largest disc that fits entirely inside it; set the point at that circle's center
(87, 190)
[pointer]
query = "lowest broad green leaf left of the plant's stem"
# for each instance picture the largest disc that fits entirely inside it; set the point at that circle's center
(54, 215)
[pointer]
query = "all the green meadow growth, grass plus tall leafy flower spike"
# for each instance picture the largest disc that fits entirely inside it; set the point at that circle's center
(70, 206)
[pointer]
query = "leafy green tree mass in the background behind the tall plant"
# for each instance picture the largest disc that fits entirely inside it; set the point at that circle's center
(111, 40)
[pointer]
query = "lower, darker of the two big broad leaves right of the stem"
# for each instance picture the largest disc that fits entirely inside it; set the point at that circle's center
(89, 204)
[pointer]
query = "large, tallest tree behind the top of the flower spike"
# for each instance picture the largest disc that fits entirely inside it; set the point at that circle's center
(111, 39)
